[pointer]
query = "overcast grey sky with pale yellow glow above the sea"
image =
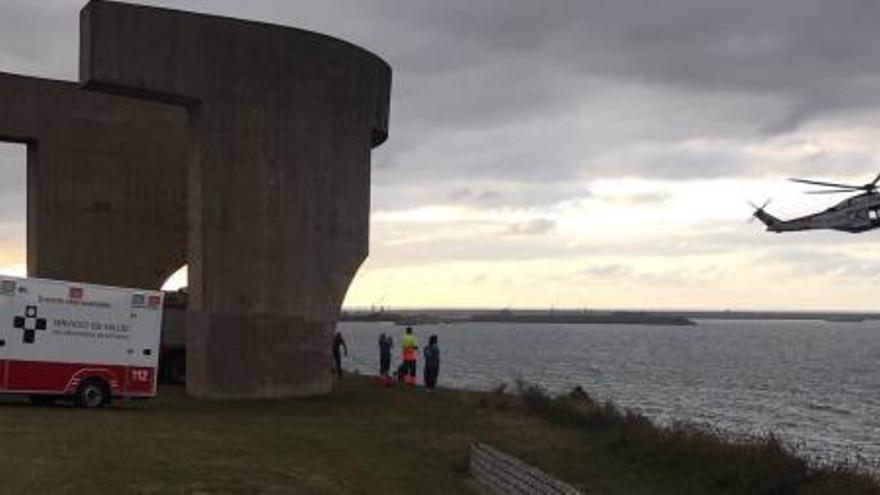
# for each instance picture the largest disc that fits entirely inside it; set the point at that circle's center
(580, 153)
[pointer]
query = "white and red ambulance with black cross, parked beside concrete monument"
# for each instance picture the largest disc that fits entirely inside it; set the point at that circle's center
(67, 340)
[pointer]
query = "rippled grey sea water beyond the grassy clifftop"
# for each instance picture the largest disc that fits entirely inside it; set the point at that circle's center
(815, 383)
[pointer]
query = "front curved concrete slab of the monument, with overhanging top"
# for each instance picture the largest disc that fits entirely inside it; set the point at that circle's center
(281, 124)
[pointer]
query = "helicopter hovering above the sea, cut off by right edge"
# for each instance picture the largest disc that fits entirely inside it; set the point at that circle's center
(856, 214)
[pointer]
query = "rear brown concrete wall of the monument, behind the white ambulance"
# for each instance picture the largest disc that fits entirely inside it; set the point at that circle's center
(106, 182)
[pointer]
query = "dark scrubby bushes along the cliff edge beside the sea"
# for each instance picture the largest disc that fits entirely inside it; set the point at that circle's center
(722, 462)
